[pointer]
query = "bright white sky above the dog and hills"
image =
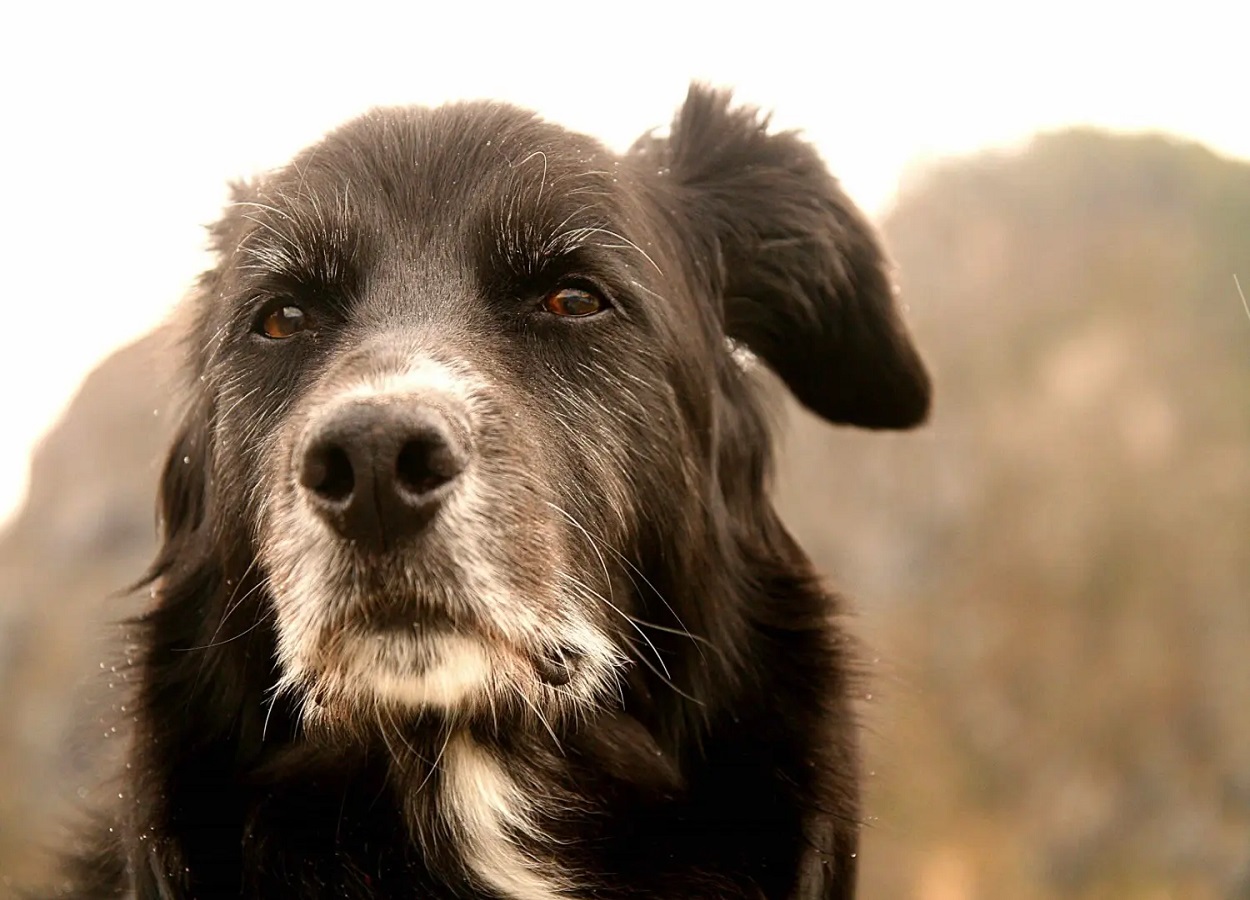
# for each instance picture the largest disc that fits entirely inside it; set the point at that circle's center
(123, 122)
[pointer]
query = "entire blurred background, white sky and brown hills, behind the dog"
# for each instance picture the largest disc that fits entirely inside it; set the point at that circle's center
(1053, 579)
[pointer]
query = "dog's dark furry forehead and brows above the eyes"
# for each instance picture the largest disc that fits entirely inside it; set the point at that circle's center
(476, 188)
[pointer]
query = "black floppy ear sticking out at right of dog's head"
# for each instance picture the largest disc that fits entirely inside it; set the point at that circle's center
(799, 271)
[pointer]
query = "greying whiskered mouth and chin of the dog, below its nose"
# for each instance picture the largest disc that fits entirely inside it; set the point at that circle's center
(473, 628)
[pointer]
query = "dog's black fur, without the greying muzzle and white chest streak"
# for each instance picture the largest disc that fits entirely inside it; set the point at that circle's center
(728, 766)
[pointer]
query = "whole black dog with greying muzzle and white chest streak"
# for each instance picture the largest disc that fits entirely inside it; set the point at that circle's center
(471, 584)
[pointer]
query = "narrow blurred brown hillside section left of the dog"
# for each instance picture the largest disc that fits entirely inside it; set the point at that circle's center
(86, 534)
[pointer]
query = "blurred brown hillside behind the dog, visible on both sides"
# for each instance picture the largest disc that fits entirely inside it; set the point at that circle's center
(1054, 578)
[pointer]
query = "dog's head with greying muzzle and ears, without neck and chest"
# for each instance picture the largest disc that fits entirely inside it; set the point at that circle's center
(467, 387)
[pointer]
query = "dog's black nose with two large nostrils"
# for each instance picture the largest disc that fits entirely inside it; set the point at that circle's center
(379, 472)
